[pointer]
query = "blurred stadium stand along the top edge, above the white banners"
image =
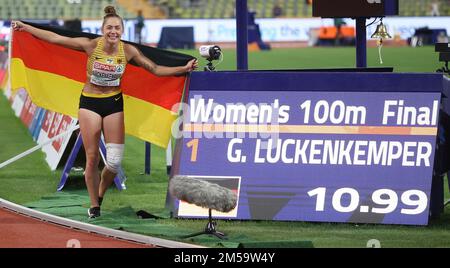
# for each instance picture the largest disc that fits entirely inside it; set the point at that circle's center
(153, 9)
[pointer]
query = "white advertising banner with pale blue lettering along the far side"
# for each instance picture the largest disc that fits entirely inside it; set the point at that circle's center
(272, 30)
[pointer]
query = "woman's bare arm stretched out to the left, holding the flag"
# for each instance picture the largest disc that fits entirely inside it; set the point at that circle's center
(78, 43)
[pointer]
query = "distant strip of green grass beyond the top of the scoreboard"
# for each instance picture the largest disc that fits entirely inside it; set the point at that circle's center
(403, 59)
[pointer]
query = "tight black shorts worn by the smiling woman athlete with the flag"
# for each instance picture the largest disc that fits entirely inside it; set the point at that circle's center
(102, 106)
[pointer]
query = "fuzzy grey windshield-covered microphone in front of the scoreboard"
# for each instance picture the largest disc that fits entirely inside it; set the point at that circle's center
(203, 193)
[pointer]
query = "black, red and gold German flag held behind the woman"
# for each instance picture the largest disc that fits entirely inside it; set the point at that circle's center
(54, 77)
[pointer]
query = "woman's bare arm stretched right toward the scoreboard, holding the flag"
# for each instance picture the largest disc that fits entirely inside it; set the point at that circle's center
(135, 54)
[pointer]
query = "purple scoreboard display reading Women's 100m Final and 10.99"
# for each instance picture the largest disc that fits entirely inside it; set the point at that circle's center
(323, 147)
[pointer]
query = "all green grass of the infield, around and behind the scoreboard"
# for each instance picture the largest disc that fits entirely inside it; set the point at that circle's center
(29, 179)
